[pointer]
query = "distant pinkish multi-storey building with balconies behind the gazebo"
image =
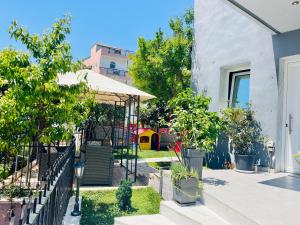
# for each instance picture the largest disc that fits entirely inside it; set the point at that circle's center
(110, 61)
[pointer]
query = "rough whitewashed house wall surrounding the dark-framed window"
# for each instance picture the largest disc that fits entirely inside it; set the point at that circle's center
(227, 40)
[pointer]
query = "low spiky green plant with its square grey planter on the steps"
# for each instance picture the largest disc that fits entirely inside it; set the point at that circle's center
(185, 184)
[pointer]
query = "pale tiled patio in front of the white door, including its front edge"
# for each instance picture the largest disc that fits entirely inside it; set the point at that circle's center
(259, 198)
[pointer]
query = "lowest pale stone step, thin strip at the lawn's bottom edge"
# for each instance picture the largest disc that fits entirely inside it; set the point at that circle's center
(156, 219)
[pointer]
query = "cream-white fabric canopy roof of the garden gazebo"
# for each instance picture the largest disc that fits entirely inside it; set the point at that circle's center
(106, 90)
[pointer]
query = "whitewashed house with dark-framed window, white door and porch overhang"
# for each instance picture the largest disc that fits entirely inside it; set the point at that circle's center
(245, 52)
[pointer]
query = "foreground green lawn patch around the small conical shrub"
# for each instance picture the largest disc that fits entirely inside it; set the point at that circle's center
(99, 207)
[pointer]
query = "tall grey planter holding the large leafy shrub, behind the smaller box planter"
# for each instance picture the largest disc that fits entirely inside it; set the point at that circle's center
(193, 159)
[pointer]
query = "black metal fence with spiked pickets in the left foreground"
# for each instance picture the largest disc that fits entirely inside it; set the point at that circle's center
(46, 204)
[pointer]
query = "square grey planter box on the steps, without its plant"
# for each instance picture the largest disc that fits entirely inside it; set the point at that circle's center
(185, 191)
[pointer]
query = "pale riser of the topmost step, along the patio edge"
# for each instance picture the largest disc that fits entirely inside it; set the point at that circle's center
(225, 211)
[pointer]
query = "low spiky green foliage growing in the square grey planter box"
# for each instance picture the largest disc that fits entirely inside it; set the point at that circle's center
(180, 172)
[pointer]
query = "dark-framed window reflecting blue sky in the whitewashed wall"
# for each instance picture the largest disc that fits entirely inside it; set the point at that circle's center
(239, 89)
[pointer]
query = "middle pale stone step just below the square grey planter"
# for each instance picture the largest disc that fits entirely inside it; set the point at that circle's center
(190, 215)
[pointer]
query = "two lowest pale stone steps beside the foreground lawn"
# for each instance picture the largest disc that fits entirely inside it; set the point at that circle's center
(173, 214)
